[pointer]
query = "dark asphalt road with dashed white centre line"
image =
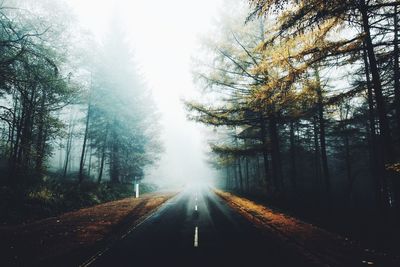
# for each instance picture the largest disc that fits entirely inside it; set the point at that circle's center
(197, 228)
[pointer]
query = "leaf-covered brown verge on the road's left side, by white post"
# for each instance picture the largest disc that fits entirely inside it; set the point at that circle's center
(71, 238)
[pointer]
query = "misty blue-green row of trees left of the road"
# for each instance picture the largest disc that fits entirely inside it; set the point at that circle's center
(71, 109)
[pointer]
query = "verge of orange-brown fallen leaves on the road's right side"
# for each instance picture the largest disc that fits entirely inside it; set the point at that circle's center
(320, 245)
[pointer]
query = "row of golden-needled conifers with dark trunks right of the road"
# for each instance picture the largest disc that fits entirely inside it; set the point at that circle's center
(306, 102)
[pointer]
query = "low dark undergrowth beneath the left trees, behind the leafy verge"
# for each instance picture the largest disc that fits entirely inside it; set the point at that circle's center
(53, 197)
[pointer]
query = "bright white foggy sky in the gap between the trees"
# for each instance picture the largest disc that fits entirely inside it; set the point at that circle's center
(165, 37)
